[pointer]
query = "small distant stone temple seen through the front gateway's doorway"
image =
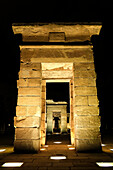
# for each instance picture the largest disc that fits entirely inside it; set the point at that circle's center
(56, 116)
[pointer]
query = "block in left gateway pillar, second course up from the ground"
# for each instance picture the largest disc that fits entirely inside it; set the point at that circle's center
(27, 133)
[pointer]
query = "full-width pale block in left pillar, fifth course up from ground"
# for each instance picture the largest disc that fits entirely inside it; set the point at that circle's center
(29, 101)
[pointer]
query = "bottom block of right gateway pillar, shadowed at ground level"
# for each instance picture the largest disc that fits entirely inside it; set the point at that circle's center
(85, 145)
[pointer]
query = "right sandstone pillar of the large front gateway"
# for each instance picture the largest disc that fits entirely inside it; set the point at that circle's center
(86, 111)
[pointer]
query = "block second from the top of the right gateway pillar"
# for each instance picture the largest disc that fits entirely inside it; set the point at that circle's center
(85, 73)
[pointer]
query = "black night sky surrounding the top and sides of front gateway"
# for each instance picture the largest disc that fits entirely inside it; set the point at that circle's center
(56, 11)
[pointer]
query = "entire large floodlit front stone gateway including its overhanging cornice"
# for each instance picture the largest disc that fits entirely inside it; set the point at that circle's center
(57, 52)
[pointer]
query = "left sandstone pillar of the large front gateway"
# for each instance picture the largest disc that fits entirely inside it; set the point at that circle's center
(28, 112)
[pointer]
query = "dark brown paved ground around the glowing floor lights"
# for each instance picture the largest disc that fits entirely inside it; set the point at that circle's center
(73, 161)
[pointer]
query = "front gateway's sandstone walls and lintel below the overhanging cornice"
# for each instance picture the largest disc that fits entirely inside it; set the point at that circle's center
(30, 118)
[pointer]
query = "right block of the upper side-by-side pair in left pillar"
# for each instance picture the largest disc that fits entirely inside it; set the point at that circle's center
(34, 82)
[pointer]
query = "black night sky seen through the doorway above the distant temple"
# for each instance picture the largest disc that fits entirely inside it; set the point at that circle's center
(58, 92)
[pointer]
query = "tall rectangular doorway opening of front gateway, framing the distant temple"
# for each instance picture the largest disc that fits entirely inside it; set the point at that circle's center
(58, 112)
